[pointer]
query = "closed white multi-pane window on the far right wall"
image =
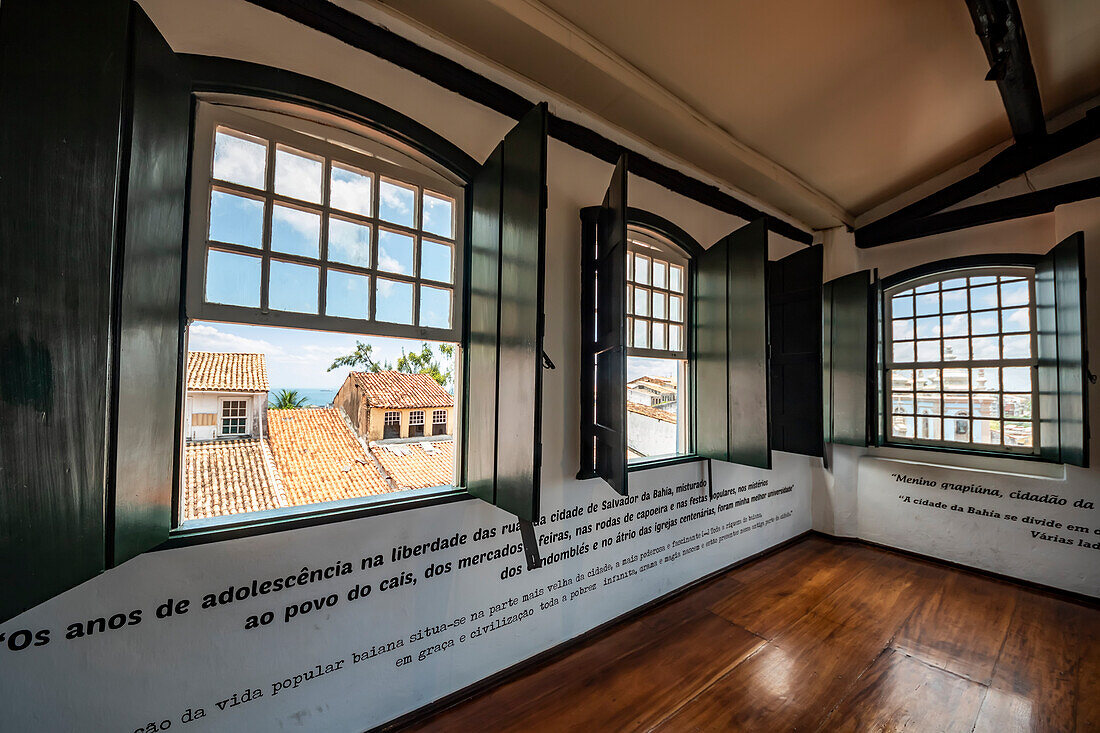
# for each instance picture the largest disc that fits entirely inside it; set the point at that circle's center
(962, 360)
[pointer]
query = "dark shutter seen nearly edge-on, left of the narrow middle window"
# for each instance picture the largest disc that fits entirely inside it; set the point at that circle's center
(611, 333)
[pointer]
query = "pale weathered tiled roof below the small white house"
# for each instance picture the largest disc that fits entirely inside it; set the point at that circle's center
(228, 477)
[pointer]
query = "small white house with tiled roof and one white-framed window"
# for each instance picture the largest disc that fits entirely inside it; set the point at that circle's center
(226, 397)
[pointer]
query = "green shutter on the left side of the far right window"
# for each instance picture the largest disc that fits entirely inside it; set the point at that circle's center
(846, 378)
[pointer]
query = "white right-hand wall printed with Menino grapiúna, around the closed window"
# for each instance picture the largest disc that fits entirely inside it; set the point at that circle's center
(867, 494)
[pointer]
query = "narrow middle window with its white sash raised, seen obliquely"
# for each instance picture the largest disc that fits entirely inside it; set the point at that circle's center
(657, 355)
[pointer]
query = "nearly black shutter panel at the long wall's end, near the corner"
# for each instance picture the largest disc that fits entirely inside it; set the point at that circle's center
(795, 301)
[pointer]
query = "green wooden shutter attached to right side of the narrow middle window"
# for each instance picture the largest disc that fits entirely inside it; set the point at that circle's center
(732, 349)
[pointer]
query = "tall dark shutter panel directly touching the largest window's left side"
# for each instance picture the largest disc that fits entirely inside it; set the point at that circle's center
(147, 444)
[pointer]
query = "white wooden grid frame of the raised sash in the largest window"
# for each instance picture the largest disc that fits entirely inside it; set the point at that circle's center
(375, 159)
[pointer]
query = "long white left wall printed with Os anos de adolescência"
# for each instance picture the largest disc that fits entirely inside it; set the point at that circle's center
(156, 670)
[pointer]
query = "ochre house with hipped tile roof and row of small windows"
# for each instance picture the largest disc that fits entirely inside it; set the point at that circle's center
(389, 406)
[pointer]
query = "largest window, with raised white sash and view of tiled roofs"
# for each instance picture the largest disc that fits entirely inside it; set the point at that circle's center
(325, 281)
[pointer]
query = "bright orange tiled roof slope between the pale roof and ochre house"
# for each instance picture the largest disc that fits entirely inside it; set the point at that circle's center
(318, 460)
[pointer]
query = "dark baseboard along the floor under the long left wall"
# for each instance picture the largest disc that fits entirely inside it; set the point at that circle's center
(559, 651)
